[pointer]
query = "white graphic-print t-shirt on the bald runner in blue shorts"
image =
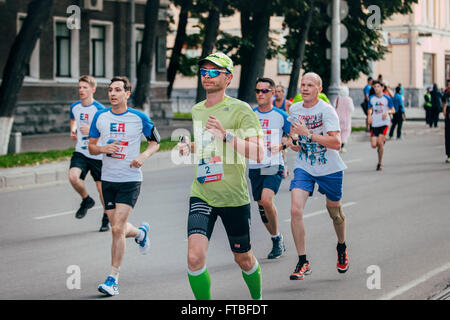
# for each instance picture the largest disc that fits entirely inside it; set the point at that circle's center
(314, 158)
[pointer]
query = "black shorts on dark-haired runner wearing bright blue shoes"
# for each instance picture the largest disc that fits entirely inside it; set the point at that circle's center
(120, 192)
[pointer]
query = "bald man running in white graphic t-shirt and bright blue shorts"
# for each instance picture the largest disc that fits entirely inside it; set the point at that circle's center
(316, 136)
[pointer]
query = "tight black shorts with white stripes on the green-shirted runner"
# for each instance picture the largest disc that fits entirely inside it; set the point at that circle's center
(236, 221)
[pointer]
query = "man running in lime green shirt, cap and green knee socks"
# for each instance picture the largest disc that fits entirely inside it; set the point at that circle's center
(226, 131)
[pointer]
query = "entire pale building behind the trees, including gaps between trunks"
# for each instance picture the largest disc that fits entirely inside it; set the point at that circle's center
(418, 43)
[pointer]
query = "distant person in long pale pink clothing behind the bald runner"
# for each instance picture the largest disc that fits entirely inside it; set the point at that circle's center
(344, 108)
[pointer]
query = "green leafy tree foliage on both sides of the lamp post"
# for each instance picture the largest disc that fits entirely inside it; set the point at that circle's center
(364, 44)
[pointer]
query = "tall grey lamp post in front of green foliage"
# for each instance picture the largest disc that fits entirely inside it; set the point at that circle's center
(333, 90)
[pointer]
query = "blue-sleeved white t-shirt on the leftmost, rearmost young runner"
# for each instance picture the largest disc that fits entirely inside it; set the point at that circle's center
(83, 116)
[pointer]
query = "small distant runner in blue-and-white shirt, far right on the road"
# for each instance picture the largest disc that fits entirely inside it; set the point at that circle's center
(380, 106)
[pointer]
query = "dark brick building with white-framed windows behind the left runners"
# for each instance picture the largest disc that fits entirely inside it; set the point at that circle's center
(101, 38)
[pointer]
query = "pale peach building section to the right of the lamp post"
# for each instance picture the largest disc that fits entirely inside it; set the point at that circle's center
(419, 45)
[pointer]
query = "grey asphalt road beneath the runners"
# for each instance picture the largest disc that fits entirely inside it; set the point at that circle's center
(398, 229)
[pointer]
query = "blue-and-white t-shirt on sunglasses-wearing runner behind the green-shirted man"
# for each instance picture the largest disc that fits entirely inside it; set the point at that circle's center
(273, 123)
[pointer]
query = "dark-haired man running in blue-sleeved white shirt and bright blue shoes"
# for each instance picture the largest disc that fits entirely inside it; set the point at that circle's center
(120, 128)
